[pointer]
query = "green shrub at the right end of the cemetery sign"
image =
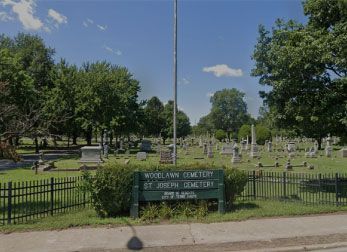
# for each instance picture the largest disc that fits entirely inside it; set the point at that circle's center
(235, 181)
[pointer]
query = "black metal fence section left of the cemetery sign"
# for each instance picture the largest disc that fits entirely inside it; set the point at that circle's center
(23, 201)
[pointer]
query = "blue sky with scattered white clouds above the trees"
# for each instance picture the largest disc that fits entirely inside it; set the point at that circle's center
(216, 39)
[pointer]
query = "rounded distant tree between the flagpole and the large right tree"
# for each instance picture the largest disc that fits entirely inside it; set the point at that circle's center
(229, 110)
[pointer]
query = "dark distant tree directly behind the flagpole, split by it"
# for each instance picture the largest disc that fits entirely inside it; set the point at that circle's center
(182, 124)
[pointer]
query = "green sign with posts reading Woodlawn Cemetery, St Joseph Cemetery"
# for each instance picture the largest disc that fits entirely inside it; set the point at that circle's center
(177, 185)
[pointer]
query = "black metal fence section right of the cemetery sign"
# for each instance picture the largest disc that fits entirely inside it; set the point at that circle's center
(328, 189)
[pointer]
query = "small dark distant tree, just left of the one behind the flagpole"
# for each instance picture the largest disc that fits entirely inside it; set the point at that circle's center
(154, 118)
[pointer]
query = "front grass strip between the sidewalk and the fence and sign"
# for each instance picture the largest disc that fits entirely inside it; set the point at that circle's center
(242, 210)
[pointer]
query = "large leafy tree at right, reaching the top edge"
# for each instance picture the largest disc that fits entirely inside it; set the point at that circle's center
(306, 67)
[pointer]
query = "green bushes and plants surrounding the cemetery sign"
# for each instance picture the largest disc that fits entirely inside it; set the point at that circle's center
(111, 189)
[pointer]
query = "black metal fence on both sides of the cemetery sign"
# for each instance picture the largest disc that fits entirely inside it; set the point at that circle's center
(23, 201)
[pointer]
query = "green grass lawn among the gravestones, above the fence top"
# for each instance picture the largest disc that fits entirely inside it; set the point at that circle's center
(321, 164)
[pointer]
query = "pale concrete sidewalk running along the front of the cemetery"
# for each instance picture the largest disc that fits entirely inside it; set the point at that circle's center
(181, 236)
